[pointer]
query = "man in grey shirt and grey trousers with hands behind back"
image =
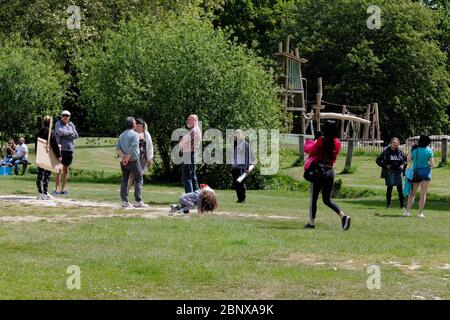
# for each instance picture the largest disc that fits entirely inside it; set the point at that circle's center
(128, 149)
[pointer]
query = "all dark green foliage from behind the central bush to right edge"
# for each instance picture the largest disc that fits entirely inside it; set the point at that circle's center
(401, 66)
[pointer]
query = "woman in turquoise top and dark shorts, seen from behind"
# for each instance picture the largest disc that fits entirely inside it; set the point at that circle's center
(422, 158)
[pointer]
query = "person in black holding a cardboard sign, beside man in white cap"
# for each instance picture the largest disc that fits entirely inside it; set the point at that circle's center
(43, 176)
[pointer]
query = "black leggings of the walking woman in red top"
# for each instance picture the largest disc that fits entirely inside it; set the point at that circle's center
(325, 184)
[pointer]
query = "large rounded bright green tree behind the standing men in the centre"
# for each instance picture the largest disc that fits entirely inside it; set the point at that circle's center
(165, 70)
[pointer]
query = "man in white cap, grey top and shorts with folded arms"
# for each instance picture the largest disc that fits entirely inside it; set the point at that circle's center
(65, 133)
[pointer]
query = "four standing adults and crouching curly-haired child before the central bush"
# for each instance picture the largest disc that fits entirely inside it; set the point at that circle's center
(135, 150)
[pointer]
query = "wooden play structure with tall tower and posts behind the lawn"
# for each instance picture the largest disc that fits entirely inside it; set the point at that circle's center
(363, 126)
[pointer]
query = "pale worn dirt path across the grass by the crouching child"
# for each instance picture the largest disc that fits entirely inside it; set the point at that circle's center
(115, 210)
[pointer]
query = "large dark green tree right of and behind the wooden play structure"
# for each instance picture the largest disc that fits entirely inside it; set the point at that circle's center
(400, 66)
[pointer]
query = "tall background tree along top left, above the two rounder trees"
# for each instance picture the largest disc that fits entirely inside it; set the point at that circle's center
(47, 21)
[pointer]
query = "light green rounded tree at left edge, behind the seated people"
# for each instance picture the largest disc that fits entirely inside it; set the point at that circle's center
(31, 86)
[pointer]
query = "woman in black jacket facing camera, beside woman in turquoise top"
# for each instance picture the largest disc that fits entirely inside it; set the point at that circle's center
(393, 161)
